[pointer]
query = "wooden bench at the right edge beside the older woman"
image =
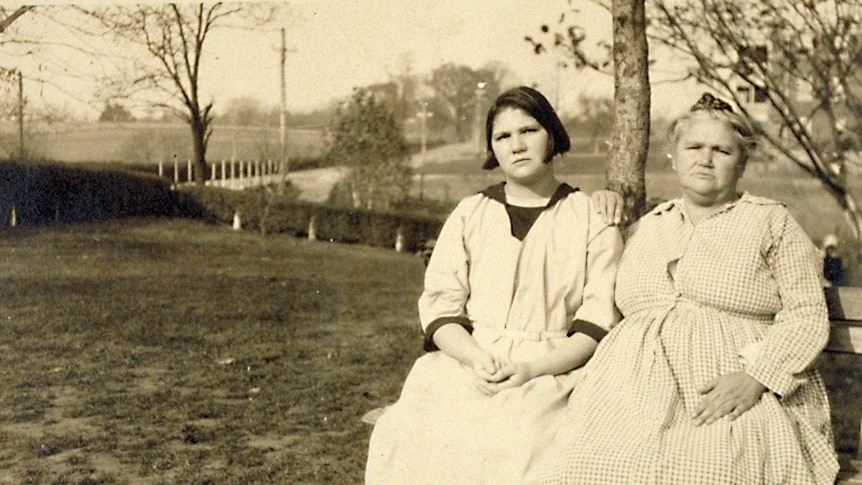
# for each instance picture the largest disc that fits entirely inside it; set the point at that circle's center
(842, 372)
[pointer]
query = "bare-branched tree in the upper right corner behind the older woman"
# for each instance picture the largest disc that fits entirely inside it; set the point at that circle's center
(801, 59)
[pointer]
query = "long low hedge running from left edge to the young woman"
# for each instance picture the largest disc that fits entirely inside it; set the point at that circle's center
(42, 194)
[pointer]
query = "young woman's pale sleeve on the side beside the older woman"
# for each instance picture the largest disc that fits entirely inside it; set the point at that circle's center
(603, 255)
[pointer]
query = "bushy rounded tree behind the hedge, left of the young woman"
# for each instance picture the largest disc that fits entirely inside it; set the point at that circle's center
(367, 141)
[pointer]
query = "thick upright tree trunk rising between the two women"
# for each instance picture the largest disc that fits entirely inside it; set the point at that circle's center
(630, 136)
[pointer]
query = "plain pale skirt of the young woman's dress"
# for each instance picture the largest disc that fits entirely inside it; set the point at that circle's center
(462, 436)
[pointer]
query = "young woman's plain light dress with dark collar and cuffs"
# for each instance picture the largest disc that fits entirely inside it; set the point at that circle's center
(521, 297)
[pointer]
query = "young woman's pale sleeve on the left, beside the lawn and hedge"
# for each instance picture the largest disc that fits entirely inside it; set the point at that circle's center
(447, 286)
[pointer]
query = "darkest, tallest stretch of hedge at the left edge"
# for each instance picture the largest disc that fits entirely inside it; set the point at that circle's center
(41, 194)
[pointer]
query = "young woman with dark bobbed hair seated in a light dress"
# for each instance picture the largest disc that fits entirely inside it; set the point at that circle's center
(518, 292)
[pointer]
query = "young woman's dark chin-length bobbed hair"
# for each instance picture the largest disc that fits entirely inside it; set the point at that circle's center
(536, 105)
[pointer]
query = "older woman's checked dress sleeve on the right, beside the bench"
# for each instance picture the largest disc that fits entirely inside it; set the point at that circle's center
(801, 328)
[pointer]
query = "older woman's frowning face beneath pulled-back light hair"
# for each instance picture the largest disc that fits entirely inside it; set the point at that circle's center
(708, 161)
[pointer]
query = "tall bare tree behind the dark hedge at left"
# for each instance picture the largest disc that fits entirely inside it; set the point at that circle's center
(174, 36)
